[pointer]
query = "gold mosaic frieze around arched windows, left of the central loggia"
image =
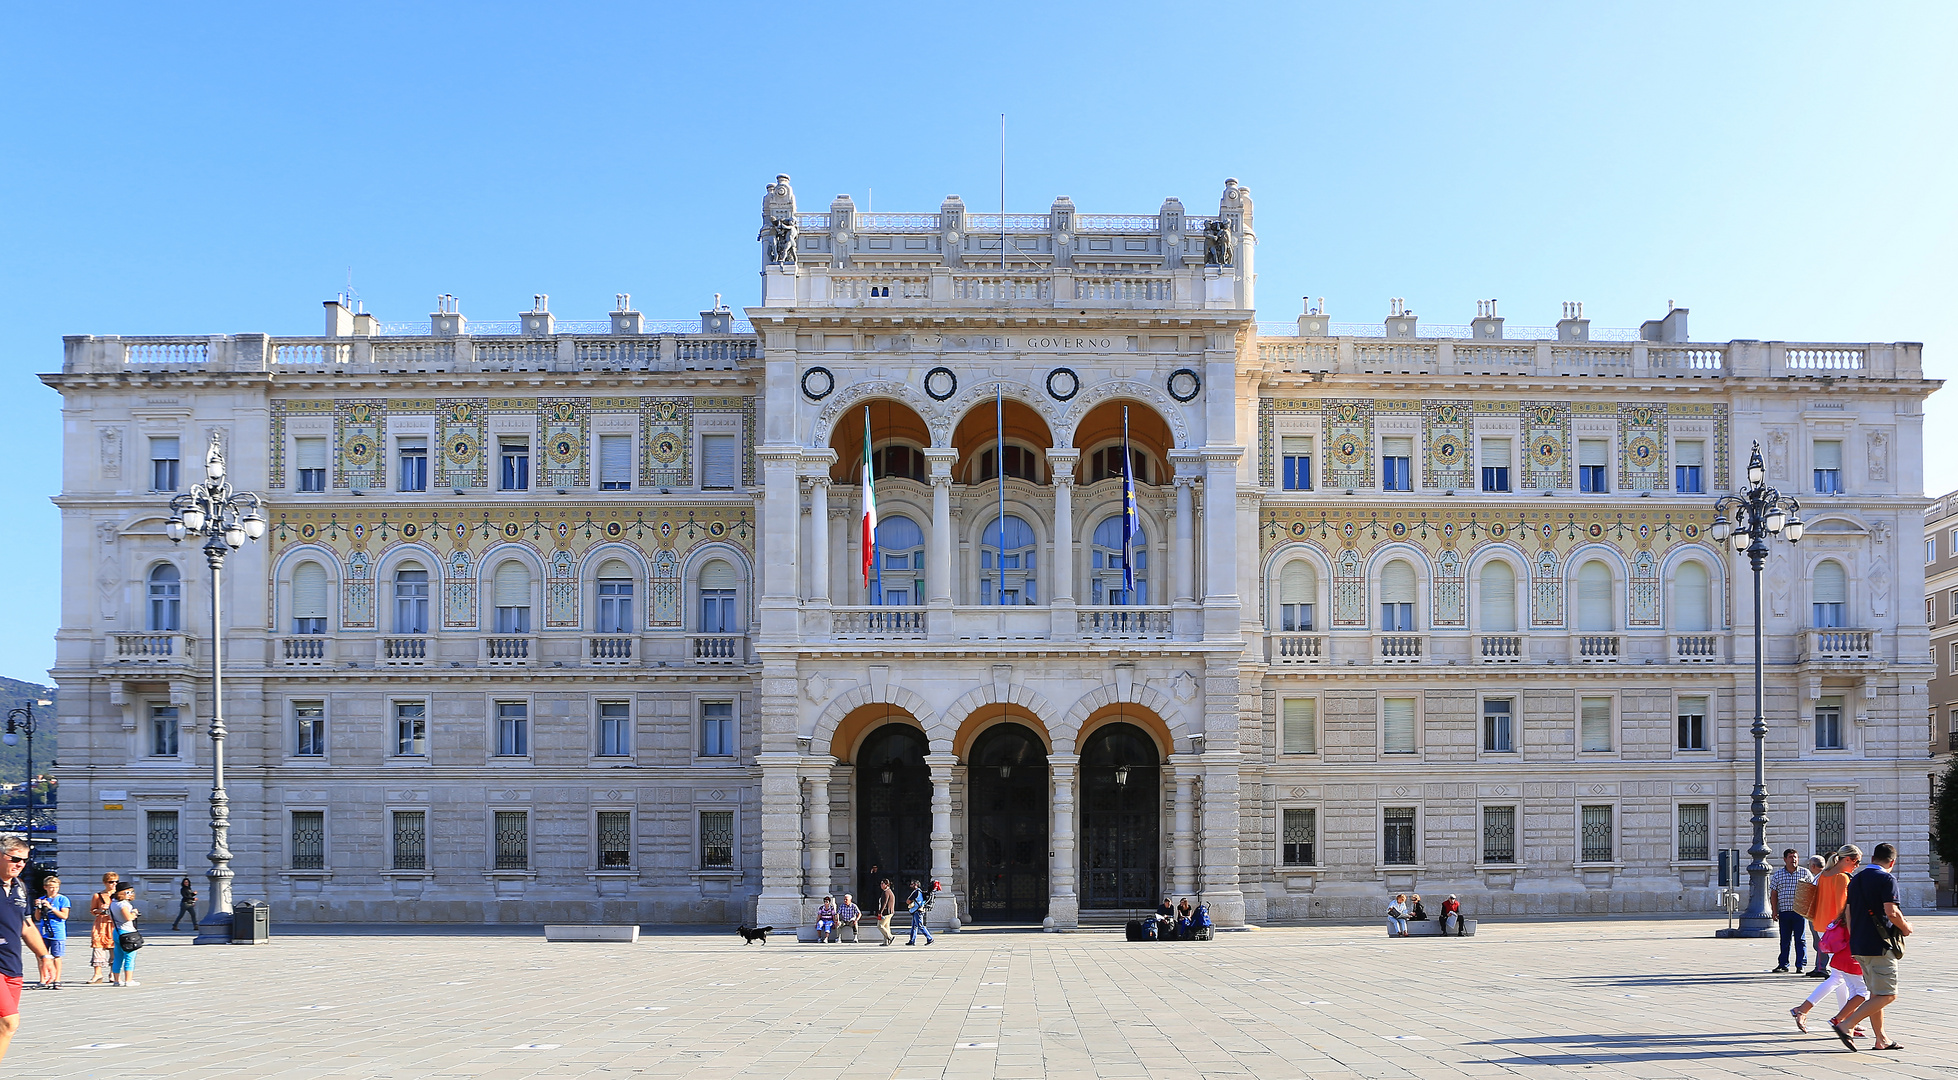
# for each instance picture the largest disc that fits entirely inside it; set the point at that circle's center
(363, 539)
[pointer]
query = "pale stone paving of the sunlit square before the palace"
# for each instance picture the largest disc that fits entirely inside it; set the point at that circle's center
(1597, 999)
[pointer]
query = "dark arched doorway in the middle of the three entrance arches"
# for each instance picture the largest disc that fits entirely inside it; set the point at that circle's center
(1007, 825)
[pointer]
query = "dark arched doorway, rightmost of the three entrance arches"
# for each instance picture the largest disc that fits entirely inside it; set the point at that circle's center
(1121, 819)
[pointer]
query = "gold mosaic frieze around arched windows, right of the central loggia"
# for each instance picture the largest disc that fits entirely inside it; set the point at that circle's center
(1452, 539)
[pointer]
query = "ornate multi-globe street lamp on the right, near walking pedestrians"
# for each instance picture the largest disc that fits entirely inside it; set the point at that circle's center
(1757, 514)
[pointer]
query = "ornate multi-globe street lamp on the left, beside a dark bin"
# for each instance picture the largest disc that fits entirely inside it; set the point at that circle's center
(226, 519)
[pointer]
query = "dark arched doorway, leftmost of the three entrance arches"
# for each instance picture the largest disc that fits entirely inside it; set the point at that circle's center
(894, 811)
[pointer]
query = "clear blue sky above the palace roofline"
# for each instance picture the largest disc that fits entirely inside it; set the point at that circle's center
(1783, 169)
